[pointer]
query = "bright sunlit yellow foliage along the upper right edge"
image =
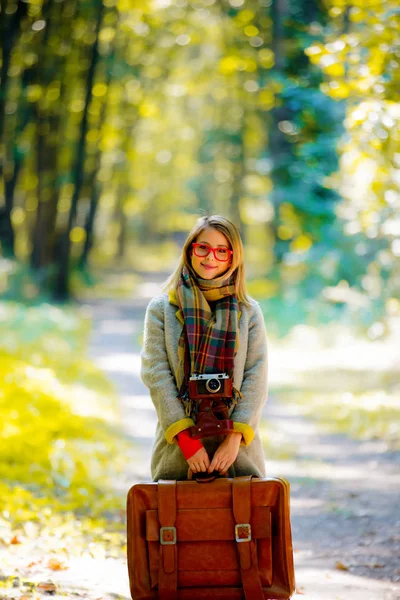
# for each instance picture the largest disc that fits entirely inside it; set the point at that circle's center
(360, 62)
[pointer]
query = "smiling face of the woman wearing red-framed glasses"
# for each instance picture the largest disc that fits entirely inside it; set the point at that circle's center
(208, 267)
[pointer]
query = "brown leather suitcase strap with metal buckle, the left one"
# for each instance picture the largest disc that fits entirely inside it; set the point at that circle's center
(168, 573)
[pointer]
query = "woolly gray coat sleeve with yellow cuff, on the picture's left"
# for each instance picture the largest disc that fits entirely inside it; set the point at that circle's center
(156, 374)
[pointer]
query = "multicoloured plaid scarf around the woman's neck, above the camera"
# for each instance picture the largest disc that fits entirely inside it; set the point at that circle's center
(209, 341)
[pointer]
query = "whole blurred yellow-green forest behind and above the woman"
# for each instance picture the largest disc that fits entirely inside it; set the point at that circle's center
(124, 121)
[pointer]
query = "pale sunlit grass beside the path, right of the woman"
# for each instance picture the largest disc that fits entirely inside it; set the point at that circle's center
(345, 381)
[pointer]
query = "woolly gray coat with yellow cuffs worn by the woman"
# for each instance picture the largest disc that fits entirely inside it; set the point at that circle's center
(159, 362)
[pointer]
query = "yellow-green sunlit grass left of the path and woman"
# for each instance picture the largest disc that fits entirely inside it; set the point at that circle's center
(60, 448)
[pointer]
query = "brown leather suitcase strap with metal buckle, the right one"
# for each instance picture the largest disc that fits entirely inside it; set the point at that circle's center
(246, 546)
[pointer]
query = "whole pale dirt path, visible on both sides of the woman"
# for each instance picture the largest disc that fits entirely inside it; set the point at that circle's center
(345, 494)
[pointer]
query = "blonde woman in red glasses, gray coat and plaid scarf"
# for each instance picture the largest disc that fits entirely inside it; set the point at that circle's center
(206, 323)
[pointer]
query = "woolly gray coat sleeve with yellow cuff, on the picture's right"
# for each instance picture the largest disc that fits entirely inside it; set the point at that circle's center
(254, 389)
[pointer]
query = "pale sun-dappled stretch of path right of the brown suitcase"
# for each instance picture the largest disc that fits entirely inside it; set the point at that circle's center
(345, 511)
